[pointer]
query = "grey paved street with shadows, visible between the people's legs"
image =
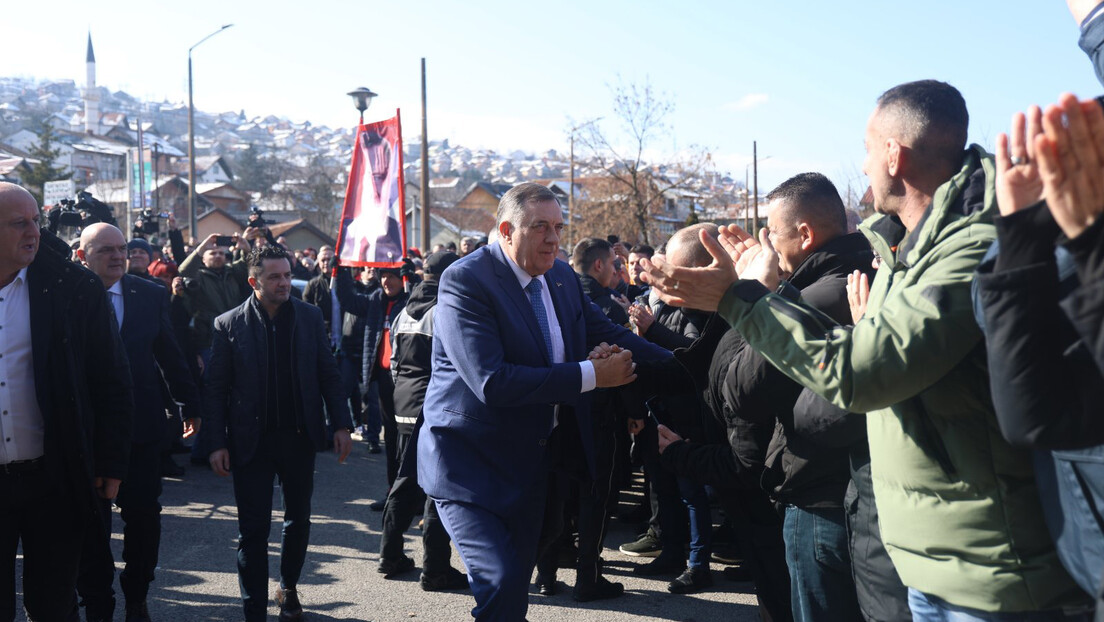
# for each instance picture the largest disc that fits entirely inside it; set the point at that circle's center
(197, 581)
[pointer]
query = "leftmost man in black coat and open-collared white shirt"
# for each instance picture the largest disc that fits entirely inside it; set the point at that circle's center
(66, 408)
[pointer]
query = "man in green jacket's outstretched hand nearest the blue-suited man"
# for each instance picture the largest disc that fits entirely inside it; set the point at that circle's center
(694, 288)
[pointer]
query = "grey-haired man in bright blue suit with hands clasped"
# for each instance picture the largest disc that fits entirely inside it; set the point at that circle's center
(511, 383)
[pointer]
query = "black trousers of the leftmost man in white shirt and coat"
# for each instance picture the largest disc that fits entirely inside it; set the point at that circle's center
(50, 523)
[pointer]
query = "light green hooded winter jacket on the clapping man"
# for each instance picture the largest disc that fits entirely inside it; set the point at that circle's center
(959, 508)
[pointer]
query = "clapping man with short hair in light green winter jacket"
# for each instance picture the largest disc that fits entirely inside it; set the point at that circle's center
(959, 507)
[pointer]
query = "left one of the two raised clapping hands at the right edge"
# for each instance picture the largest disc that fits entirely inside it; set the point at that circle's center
(1020, 185)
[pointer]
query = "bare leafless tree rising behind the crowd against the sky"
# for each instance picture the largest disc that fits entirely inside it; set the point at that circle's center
(638, 188)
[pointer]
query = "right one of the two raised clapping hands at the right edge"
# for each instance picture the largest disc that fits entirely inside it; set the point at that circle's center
(1071, 163)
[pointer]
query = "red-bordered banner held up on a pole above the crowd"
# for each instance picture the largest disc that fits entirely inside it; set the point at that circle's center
(374, 228)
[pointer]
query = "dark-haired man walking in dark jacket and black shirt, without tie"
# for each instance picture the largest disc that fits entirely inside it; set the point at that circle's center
(272, 368)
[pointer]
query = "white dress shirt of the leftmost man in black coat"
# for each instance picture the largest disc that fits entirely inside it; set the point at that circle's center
(22, 426)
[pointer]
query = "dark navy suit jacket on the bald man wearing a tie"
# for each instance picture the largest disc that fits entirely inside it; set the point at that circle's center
(154, 353)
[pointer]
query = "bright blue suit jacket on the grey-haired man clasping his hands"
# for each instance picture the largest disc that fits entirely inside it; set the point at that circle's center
(492, 397)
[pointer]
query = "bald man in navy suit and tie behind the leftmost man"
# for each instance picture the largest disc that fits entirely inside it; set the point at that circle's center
(142, 311)
